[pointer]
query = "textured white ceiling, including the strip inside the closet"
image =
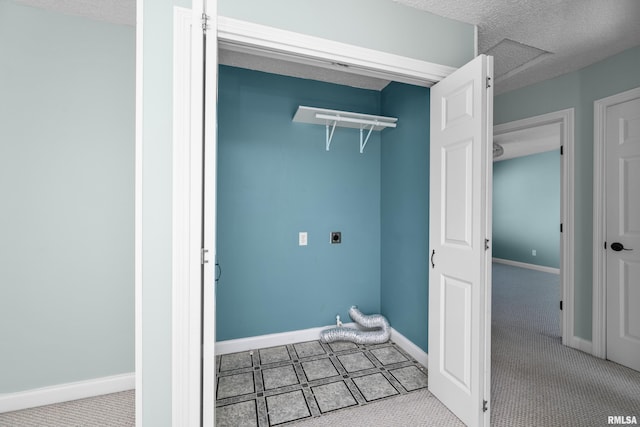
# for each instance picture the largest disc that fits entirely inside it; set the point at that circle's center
(531, 40)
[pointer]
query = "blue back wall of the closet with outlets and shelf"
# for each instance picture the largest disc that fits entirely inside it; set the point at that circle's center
(275, 180)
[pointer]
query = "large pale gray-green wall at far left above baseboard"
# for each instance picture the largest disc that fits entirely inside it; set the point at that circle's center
(67, 88)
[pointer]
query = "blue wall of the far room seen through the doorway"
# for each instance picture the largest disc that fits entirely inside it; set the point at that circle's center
(526, 209)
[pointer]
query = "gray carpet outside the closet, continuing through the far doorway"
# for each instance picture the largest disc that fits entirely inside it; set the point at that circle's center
(535, 380)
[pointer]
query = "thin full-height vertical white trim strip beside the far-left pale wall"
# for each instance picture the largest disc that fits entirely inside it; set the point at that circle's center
(138, 207)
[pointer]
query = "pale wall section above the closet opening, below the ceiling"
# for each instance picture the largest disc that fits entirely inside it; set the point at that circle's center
(381, 25)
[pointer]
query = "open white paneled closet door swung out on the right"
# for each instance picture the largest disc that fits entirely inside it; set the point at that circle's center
(459, 233)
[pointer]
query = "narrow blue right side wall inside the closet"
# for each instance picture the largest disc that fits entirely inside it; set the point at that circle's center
(405, 212)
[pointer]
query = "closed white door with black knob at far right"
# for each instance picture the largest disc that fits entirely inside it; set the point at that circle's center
(622, 198)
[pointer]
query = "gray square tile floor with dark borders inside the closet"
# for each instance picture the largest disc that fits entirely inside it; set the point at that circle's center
(280, 385)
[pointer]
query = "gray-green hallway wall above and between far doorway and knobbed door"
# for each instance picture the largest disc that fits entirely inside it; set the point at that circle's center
(578, 90)
